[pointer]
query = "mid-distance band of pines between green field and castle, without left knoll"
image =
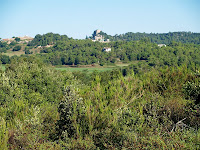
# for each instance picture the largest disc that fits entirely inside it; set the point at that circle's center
(87, 52)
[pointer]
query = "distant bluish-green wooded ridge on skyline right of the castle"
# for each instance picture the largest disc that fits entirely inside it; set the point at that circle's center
(164, 38)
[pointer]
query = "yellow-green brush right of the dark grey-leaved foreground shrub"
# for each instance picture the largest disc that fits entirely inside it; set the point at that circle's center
(139, 112)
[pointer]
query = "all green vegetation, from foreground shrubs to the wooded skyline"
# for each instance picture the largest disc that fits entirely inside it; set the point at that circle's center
(153, 103)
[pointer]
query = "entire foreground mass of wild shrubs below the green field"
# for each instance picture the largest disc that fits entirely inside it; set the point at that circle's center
(137, 107)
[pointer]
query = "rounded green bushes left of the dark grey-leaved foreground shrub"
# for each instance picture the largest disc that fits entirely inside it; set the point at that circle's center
(29, 94)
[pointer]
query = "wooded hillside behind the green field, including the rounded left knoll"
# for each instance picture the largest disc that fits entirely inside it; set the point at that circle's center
(68, 51)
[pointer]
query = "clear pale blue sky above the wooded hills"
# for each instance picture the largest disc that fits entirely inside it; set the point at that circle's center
(78, 18)
